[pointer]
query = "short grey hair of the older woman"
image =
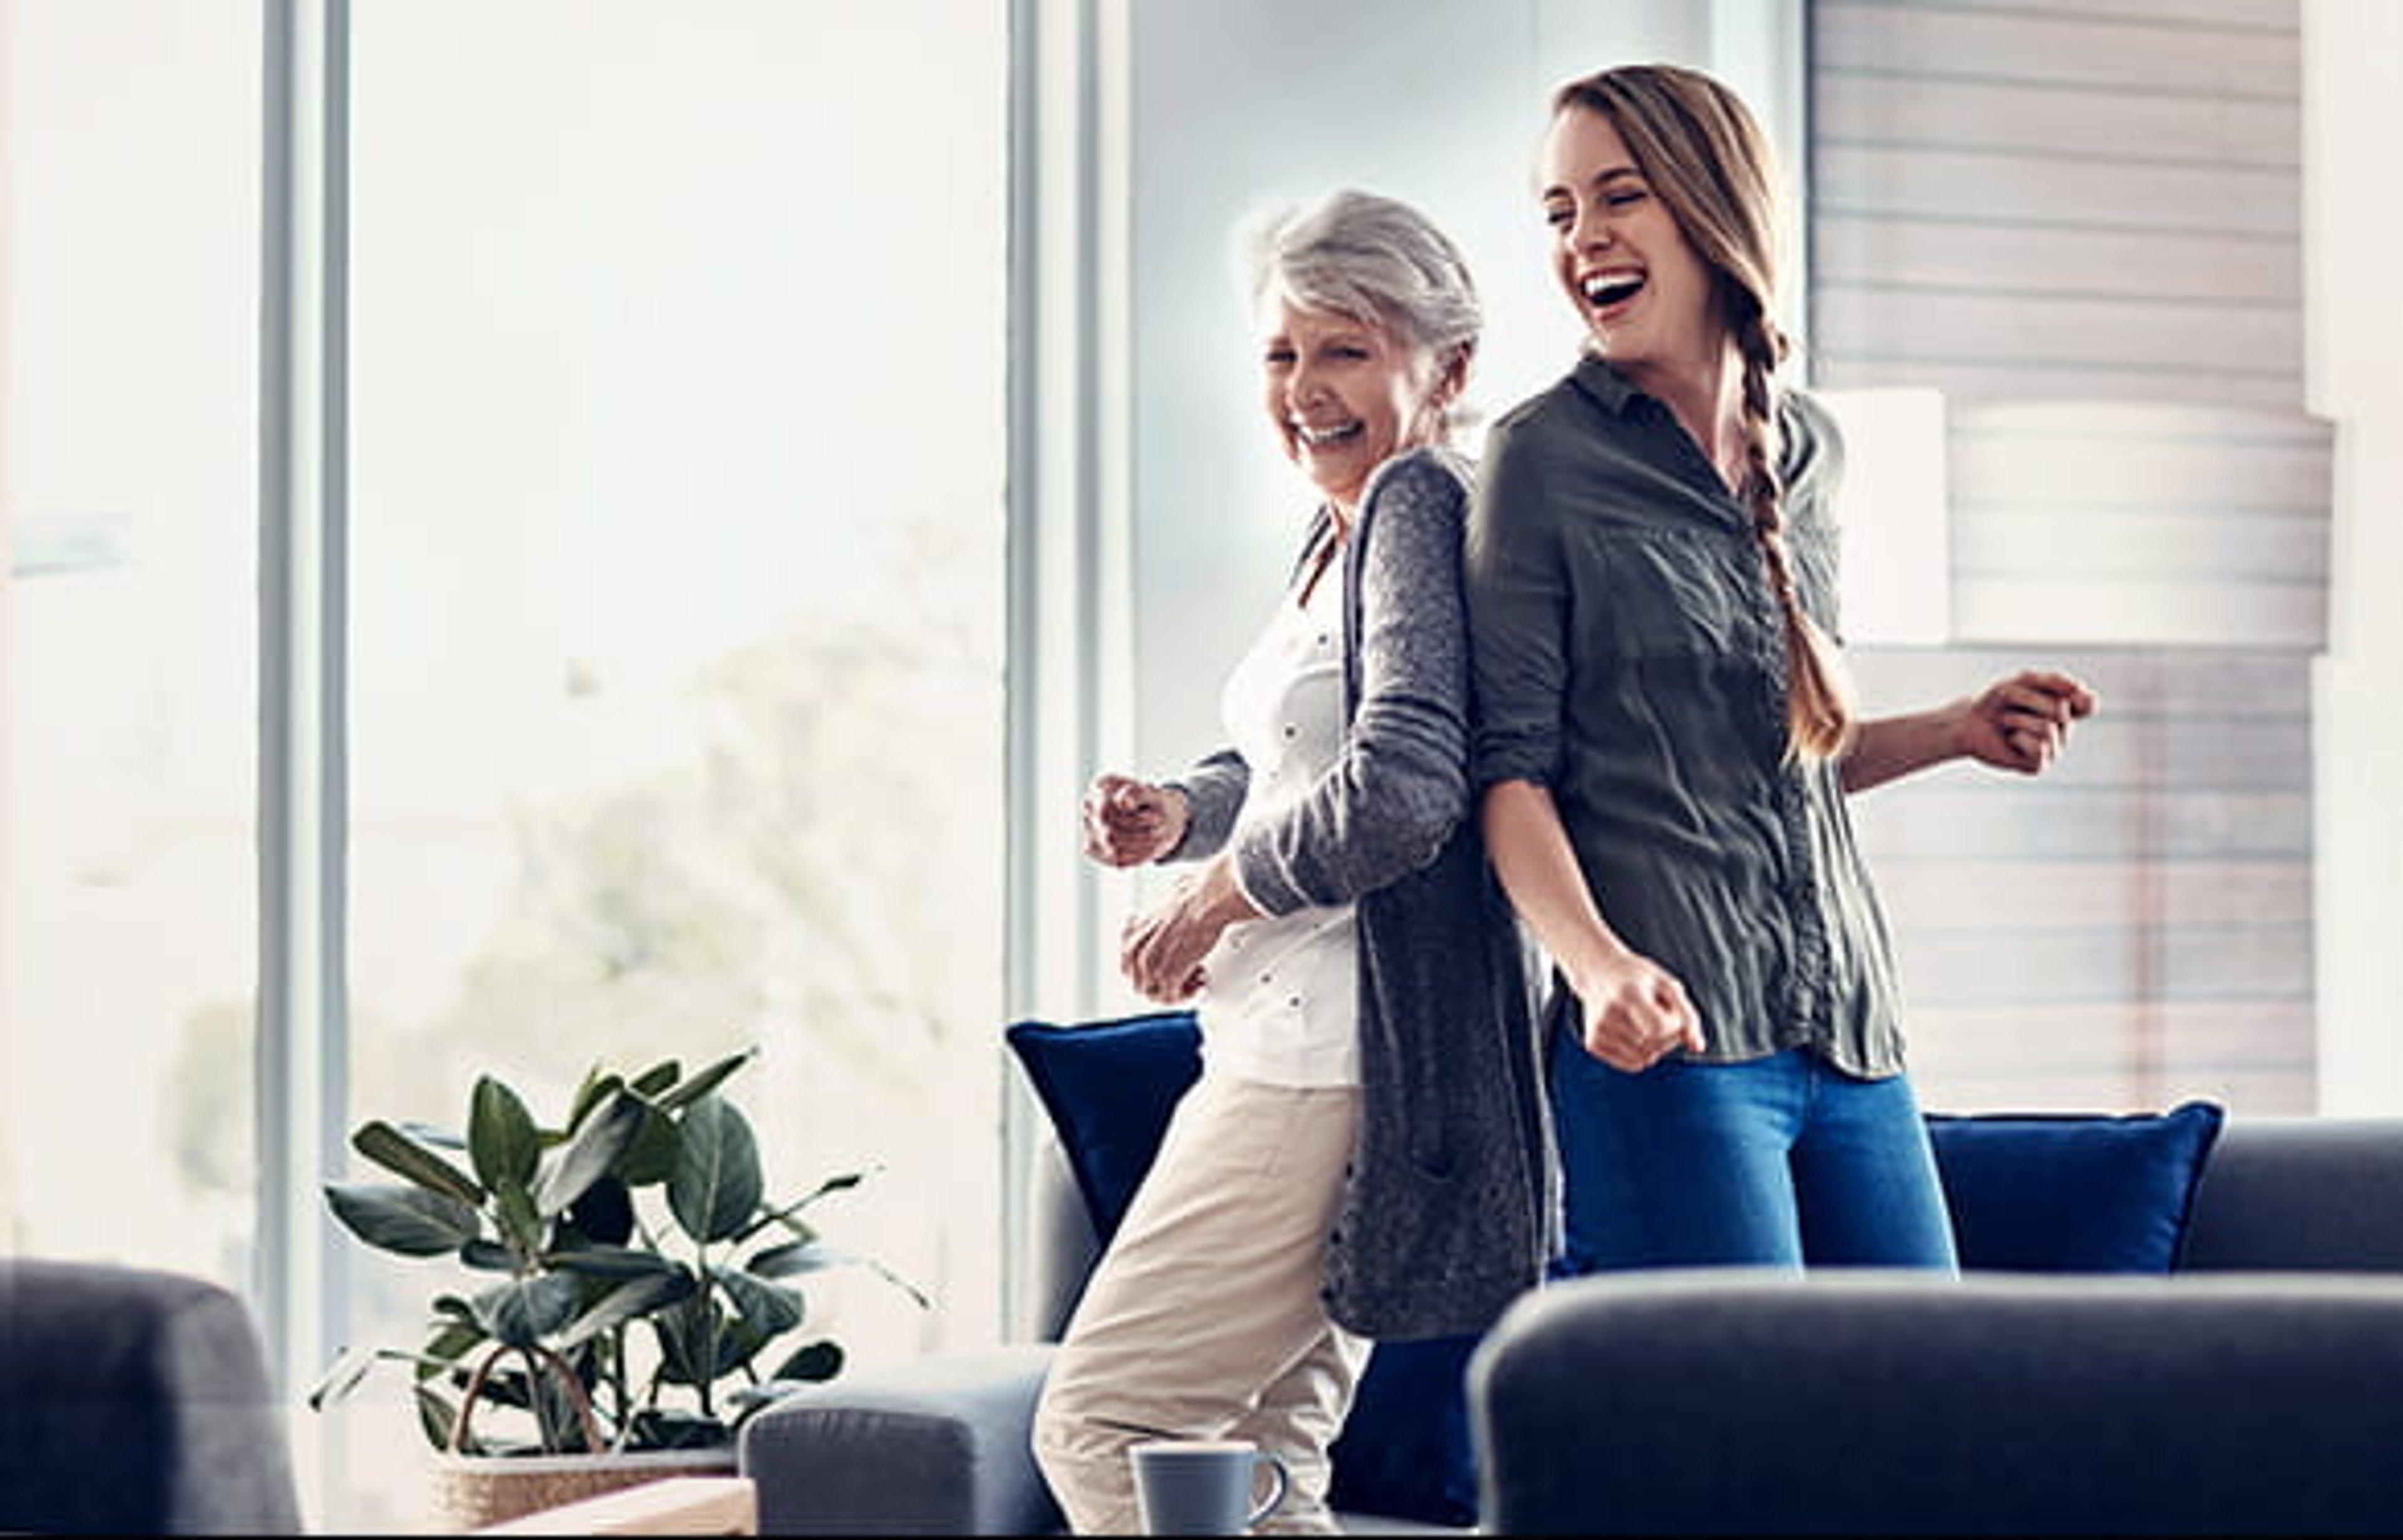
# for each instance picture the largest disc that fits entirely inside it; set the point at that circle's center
(1371, 258)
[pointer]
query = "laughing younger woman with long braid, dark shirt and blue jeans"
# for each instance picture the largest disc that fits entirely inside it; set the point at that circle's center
(1666, 739)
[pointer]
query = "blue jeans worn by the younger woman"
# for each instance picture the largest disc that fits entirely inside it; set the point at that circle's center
(1777, 1162)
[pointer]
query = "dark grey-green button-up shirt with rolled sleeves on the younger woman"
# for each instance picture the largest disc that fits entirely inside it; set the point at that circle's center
(1630, 659)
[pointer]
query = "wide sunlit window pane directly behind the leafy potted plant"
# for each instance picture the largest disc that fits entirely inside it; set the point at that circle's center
(676, 597)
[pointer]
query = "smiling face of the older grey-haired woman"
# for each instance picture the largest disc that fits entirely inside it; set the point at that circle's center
(1344, 395)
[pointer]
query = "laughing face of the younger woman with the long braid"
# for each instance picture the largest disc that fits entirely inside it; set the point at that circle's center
(1618, 253)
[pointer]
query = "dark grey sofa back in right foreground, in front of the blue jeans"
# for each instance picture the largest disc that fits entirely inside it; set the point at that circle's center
(1876, 1404)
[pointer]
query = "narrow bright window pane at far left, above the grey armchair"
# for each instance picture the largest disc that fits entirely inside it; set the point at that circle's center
(129, 929)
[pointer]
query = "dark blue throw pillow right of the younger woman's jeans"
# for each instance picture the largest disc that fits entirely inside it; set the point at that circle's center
(2058, 1193)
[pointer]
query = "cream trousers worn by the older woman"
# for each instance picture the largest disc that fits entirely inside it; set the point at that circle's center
(1205, 1318)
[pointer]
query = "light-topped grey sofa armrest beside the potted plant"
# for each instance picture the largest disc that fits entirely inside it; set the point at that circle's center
(929, 1448)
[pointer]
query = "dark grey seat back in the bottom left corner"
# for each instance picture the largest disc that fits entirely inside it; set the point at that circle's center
(136, 1402)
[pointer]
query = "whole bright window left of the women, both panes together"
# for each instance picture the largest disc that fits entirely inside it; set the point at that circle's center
(669, 422)
